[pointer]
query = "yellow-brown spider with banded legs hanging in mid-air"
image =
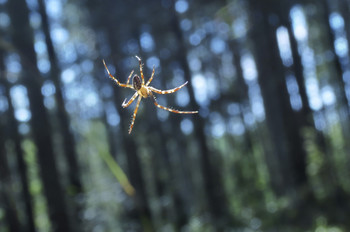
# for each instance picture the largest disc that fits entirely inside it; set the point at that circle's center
(144, 91)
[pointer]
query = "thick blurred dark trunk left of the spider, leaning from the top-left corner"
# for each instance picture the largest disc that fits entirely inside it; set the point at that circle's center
(22, 37)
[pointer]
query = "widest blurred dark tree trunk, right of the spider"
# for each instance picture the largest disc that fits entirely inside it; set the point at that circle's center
(281, 121)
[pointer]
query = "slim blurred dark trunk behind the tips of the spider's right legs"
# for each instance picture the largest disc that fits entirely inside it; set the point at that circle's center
(217, 201)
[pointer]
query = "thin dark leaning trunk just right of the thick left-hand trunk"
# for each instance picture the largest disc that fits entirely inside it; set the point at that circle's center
(75, 187)
